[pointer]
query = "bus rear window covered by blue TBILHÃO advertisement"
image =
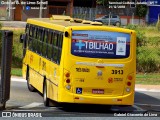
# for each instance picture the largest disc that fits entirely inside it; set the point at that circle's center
(100, 44)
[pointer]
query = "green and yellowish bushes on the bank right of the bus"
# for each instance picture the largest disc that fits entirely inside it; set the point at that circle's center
(148, 51)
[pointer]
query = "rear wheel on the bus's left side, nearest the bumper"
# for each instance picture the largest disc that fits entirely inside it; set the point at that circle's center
(45, 99)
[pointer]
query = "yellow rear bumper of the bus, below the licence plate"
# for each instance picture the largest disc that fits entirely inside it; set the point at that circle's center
(106, 100)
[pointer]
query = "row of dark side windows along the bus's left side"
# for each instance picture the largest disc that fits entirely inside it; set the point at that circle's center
(37, 33)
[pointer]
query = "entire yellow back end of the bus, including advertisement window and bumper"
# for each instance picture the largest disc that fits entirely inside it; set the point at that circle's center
(99, 67)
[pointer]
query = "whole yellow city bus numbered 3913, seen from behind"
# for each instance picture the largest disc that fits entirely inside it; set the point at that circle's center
(77, 61)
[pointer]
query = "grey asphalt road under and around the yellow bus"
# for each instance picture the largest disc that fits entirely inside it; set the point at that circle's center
(21, 101)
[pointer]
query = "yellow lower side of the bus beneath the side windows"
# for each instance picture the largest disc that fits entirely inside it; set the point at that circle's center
(40, 68)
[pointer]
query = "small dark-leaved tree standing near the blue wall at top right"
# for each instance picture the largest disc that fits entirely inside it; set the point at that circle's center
(141, 11)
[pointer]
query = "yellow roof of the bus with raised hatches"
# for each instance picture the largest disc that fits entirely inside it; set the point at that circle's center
(61, 24)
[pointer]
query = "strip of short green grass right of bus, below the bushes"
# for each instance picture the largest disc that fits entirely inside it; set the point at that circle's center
(150, 79)
